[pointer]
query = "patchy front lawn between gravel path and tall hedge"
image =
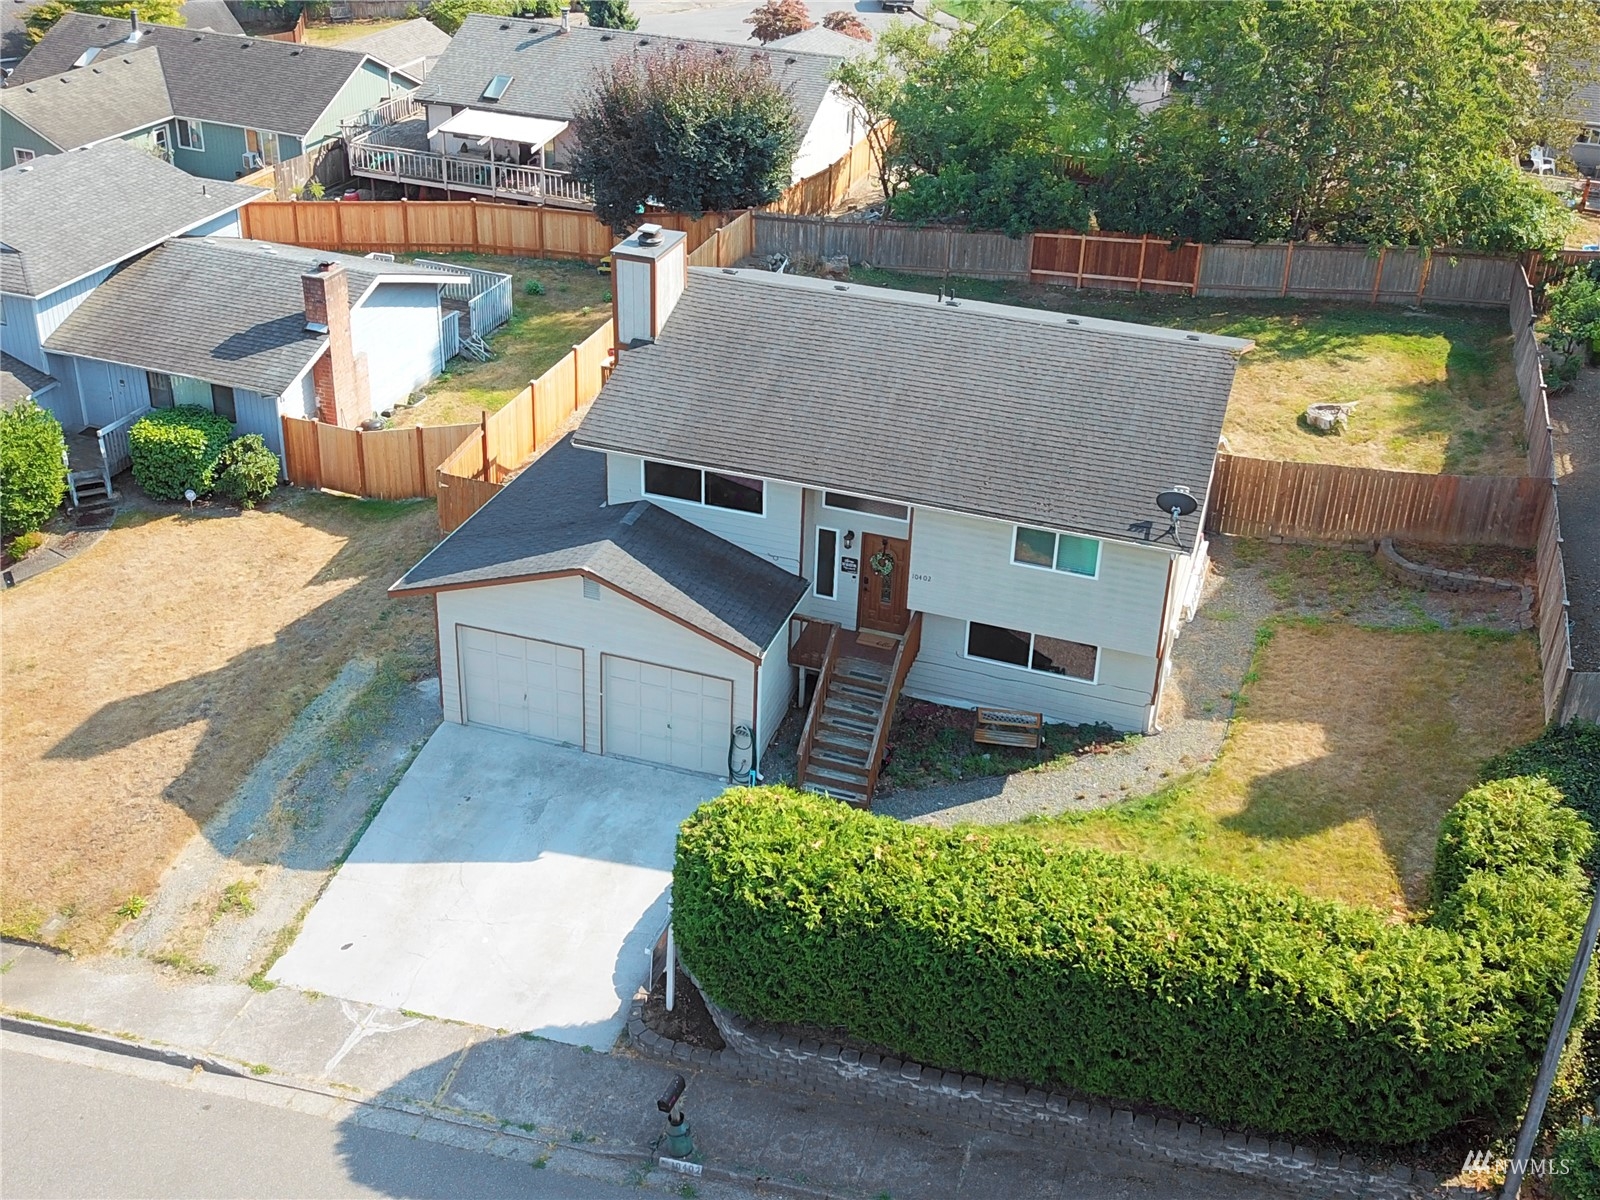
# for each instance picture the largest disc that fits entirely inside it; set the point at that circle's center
(1348, 750)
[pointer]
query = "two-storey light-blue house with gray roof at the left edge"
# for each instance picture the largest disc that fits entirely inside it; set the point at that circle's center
(68, 223)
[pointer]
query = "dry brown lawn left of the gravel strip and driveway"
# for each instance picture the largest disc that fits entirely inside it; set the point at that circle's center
(143, 681)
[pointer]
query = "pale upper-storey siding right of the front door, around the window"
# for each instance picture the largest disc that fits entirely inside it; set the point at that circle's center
(962, 569)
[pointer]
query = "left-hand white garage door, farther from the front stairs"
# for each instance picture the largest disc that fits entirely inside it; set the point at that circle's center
(522, 686)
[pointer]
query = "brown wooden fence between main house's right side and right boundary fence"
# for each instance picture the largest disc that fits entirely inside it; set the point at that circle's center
(1319, 502)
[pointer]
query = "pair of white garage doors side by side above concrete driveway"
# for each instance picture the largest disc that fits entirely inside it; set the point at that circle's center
(652, 713)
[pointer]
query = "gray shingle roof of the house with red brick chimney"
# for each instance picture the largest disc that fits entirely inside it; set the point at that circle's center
(218, 310)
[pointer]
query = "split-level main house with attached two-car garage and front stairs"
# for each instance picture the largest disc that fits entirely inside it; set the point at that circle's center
(946, 500)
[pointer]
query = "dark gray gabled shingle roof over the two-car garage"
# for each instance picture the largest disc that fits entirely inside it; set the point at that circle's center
(553, 519)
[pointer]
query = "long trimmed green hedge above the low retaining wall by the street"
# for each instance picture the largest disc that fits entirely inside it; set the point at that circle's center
(1244, 1004)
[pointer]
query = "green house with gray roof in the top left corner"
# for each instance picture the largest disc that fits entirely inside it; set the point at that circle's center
(214, 105)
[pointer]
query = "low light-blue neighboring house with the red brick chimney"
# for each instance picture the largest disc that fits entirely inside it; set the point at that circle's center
(257, 332)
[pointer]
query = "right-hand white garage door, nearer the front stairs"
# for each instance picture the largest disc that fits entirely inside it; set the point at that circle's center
(663, 716)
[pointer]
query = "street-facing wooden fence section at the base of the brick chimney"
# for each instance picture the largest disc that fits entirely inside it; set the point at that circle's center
(383, 465)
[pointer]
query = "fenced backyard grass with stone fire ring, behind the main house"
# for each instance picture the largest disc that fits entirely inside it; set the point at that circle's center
(1436, 388)
